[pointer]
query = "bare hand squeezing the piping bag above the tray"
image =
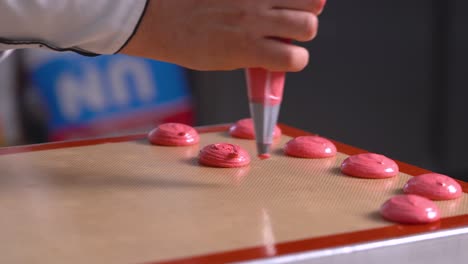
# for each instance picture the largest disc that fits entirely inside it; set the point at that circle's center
(227, 34)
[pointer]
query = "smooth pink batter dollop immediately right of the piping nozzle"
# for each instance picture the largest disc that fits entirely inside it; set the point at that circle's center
(310, 147)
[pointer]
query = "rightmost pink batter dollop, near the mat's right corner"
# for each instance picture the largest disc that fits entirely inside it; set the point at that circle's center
(434, 186)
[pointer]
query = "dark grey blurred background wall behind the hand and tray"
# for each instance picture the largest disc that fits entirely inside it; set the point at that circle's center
(386, 76)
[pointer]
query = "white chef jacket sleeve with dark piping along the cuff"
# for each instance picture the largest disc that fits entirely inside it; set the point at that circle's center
(88, 27)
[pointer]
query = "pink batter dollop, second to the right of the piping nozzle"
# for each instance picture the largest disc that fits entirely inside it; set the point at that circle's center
(369, 165)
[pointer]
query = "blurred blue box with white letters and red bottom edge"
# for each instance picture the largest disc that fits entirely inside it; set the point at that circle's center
(95, 96)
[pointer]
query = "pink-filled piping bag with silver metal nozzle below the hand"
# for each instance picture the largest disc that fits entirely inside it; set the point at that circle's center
(265, 90)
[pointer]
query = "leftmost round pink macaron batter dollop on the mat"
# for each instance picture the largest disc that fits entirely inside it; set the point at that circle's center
(173, 134)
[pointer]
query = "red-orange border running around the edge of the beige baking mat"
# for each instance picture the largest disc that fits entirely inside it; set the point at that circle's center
(393, 231)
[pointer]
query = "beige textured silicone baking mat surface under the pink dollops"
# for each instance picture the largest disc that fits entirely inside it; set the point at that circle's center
(131, 202)
